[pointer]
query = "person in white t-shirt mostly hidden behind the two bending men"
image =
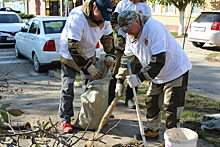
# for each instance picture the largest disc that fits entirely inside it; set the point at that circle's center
(141, 7)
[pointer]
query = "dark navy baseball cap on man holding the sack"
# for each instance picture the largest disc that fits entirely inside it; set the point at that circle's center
(105, 6)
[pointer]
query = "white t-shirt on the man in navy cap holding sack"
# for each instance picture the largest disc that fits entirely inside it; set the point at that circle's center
(78, 28)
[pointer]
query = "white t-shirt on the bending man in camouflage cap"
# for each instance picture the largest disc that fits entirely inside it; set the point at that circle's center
(154, 39)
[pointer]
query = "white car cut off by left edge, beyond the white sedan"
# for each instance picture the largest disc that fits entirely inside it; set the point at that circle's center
(10, 24)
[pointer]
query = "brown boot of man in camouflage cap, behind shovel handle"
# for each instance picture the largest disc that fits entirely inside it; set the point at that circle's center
(149, 134)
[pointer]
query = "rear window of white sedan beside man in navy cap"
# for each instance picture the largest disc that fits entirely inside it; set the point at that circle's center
(55, 26)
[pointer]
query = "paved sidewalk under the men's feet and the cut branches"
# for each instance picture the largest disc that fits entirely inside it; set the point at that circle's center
(39, 99)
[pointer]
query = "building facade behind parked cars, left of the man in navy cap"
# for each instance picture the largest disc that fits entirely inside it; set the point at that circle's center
(42, 7)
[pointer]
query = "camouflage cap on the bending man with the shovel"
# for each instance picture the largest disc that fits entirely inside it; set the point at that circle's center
(125, 20)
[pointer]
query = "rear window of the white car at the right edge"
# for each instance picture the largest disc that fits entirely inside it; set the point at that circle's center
(208, 17)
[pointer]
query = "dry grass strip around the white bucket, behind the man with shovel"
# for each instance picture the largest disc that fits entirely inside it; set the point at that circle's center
(195, 108)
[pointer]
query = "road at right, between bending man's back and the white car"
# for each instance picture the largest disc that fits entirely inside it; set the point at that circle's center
(204, 78)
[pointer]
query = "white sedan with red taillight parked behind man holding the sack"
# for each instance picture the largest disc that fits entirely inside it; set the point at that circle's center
(39, 41)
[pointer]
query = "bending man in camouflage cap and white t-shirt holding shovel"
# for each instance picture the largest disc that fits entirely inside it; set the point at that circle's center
(165, 65)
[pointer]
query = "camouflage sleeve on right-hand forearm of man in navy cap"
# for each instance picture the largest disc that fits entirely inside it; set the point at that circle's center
(108, 45)
